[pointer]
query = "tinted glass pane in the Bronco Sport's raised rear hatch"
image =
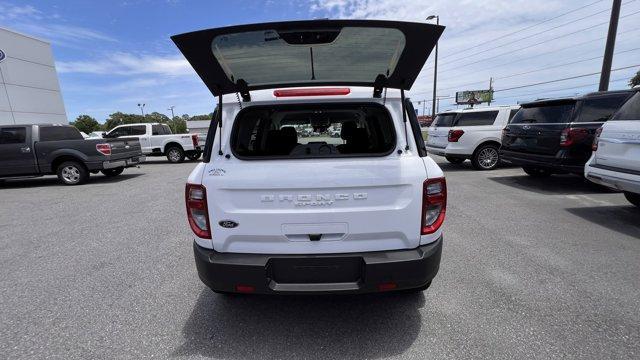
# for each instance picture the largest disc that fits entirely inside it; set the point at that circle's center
(331, 55)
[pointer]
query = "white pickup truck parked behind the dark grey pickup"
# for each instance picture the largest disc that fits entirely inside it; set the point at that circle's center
(157, 140)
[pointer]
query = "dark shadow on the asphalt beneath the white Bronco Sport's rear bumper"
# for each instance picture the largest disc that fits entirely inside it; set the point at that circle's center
(293, 327)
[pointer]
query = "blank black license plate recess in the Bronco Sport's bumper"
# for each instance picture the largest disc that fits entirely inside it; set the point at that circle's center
(321, 270)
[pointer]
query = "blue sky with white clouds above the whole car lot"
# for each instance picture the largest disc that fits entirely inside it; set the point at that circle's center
(114, 54)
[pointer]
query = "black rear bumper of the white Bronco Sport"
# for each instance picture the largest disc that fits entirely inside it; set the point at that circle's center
(350, 273)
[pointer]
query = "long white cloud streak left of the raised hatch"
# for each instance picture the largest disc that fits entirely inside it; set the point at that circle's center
(121, 63)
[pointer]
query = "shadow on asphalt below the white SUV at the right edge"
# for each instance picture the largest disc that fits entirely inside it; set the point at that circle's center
(622, 219)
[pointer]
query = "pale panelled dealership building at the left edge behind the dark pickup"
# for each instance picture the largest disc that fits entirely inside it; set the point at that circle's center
(29, 87)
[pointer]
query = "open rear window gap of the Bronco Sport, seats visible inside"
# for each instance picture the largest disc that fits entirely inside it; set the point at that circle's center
(313, 131)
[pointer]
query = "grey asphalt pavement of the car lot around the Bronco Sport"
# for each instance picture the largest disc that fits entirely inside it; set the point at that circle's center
(531, 268)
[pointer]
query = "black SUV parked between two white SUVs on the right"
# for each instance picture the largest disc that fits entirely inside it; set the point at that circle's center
(555, 136)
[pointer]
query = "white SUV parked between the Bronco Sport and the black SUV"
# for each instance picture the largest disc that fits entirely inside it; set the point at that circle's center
(470, 134)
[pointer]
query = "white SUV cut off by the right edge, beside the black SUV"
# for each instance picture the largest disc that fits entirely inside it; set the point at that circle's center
(615, 161)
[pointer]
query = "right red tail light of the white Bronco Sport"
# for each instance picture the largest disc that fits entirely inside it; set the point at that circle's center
(434, 205)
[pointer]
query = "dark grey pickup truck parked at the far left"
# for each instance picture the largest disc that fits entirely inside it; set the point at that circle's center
(35, 150)
